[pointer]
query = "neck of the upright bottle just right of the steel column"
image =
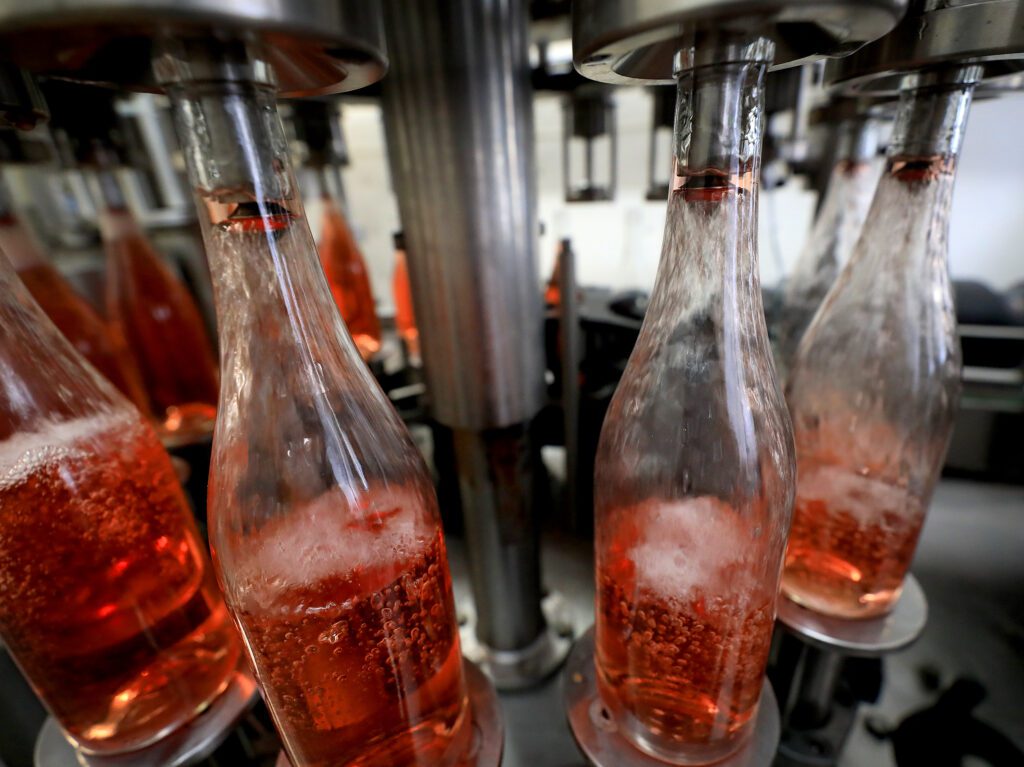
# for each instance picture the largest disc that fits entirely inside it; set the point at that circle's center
(709, 260)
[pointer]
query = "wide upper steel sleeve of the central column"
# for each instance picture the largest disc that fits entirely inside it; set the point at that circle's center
(459, 119)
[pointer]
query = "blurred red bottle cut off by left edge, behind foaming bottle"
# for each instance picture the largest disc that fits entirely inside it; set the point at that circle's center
(74, 317)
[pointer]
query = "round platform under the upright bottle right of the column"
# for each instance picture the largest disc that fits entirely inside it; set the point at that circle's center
(600, 740)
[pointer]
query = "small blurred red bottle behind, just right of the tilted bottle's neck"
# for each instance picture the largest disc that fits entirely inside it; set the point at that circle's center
(347, 271)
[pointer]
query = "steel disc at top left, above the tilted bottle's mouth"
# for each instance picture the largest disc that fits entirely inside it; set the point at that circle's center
(314, 47)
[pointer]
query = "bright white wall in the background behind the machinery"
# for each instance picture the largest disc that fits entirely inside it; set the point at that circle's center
(619, 243)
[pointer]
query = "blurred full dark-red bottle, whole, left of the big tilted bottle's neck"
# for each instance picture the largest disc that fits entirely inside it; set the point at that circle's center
(154, 311)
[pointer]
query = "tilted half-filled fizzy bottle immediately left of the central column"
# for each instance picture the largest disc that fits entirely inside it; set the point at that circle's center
(323, 517)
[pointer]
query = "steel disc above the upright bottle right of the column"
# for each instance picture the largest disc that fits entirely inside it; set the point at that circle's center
(635, 42)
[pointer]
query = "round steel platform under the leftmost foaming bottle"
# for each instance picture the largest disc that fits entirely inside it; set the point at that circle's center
(189, 745)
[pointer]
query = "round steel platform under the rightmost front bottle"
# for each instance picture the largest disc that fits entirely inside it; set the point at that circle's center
(863, 638)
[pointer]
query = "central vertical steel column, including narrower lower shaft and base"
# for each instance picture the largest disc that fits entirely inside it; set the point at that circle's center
(458, 115)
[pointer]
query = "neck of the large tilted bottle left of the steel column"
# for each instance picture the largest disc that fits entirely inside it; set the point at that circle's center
(269, 285)
